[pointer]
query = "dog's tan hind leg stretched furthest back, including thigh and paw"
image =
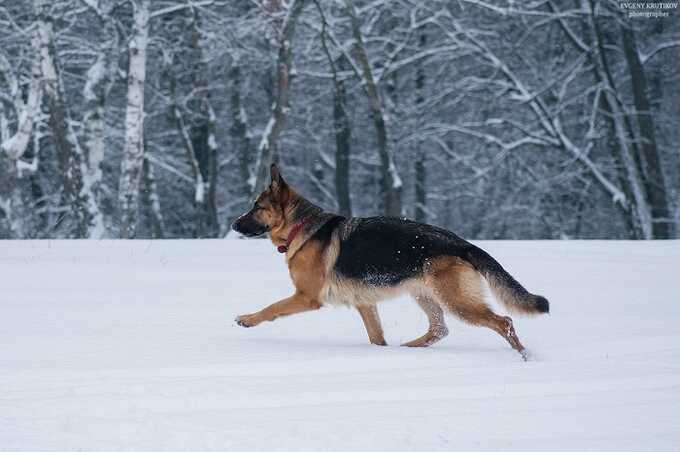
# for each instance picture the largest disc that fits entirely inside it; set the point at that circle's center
(460, 291)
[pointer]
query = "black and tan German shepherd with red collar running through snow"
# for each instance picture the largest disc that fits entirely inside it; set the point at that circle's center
(361, 261)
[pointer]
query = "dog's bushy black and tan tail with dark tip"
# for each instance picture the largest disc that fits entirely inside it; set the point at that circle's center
(506, 288)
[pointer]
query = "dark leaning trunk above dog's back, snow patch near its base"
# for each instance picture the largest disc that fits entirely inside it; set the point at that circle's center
(391, 184)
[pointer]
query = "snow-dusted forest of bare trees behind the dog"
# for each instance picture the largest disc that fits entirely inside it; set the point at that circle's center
(497, 119)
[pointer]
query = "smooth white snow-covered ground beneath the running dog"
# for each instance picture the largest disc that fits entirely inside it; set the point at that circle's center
(131, 346)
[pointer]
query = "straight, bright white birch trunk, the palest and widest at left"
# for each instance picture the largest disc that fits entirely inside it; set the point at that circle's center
(133, 150)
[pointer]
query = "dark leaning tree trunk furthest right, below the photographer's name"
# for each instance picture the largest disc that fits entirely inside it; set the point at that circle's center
(652, 172)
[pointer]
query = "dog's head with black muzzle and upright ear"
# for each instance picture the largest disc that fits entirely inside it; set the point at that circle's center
(269, 210)
